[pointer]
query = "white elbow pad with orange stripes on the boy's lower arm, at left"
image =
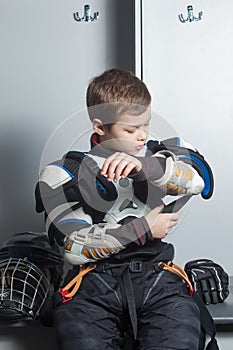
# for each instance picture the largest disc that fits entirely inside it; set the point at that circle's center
(91, 244)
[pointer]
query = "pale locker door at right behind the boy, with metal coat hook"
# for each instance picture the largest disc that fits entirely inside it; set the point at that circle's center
(186, 56)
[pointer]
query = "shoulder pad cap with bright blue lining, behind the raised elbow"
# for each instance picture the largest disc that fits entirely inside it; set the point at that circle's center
(187, 154)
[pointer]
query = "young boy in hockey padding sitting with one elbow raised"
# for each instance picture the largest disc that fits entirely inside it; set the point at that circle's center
(105, 208)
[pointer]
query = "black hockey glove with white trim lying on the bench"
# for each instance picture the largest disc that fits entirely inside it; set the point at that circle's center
(209, 280)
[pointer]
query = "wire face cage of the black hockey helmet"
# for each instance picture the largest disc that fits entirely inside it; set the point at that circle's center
(23, 289)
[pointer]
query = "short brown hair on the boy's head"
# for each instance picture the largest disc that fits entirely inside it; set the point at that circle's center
(116, 92)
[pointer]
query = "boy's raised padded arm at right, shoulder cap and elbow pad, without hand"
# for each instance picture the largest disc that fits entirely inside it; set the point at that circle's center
(184, 170)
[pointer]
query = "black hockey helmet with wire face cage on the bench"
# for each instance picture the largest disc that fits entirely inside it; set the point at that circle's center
(29, 269)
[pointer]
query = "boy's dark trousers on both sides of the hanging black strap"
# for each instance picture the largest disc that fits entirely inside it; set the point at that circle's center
(98, 317)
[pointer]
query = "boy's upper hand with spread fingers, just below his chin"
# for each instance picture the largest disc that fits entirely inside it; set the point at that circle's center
(120, 165)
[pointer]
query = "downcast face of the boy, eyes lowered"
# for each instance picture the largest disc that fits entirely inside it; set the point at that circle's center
(128, 134)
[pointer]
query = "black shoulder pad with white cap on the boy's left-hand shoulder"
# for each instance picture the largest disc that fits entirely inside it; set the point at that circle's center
(76, 177)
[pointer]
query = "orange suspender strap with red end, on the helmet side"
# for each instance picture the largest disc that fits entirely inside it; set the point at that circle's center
(68, 294)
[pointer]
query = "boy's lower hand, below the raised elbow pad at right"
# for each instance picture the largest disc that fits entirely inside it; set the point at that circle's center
(161, 224)
